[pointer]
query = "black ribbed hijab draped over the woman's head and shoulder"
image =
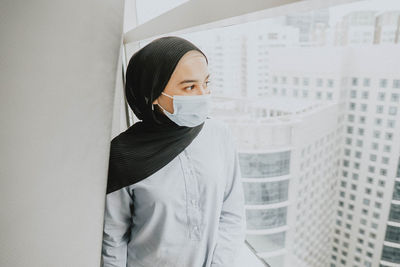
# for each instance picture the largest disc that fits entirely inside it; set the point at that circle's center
(149, 144)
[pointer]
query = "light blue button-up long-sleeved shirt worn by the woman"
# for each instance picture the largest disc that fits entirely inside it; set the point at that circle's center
(190, 213)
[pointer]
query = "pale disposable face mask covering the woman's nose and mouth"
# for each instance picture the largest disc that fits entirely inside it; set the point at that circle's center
(189, 111)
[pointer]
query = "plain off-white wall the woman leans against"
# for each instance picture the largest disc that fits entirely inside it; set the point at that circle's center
(58, 68)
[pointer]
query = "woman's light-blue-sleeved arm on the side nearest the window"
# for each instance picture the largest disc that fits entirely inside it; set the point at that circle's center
(232, 223)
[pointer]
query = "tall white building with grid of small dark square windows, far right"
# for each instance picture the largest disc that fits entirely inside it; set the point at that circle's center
(365, 83)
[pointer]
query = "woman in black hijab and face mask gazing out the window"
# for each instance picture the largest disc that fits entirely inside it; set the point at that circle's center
(174, 195)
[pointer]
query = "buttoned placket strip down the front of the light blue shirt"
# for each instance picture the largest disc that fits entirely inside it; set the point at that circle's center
(192, 200)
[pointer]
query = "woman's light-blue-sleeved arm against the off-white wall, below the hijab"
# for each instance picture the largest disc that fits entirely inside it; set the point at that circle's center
(116, 233)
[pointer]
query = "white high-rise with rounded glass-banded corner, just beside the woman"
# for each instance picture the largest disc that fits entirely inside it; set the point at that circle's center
(288, 157)
